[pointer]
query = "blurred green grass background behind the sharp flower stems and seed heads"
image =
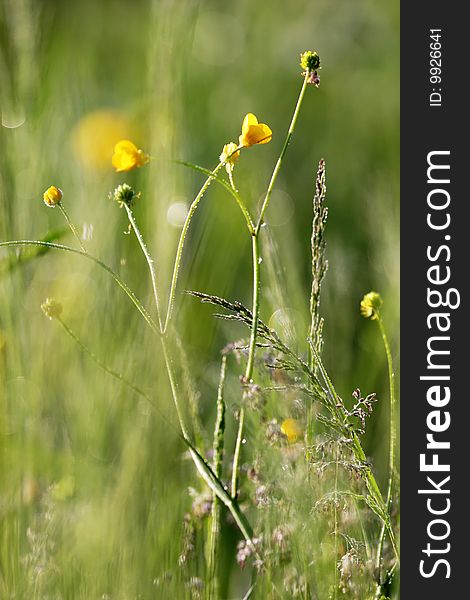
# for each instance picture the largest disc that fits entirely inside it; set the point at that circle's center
(185, 73)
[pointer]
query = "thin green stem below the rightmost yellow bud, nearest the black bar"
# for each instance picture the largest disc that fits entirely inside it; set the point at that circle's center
(392, 442)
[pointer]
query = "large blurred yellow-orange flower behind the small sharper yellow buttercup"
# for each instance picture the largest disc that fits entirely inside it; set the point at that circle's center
(96, 134)
